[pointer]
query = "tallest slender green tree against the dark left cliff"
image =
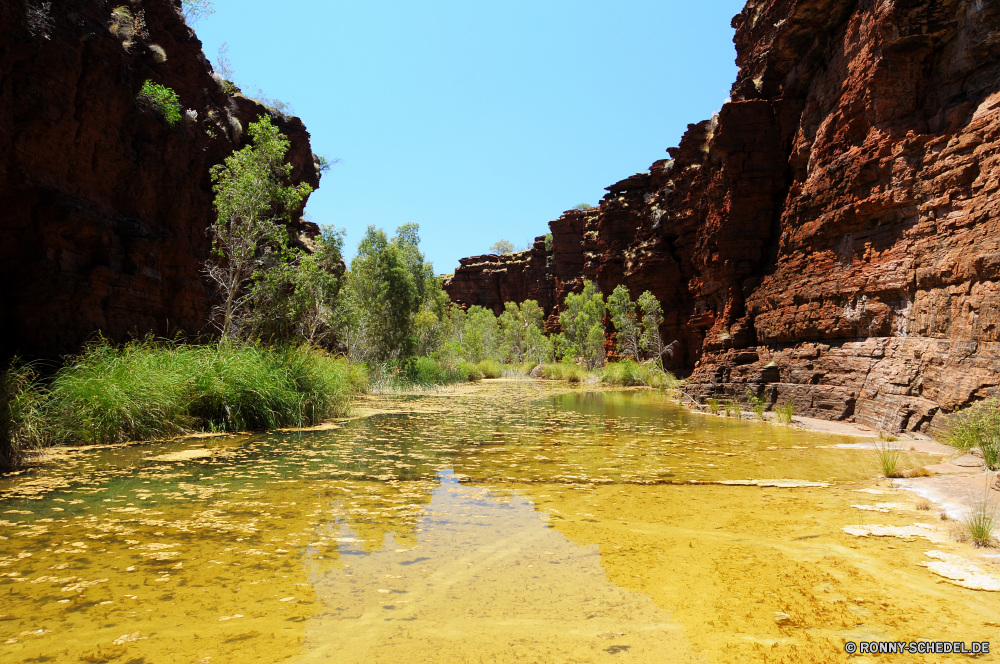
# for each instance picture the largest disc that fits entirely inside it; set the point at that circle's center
(253, 202)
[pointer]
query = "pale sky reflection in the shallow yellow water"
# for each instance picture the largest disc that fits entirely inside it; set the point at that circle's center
(487, 580)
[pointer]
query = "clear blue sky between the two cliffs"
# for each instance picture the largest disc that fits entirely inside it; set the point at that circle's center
(479, 120)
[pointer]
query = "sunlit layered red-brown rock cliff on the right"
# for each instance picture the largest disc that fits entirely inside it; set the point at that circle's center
(830, 238)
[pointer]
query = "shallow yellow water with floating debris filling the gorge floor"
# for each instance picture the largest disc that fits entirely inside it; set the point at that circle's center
(506, 522)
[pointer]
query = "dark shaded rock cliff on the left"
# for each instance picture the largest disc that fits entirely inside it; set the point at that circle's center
(103, 207)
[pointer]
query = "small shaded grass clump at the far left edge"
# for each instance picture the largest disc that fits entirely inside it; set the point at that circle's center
(21, 424)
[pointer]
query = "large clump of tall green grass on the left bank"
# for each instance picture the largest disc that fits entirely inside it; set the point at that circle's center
(152, 389)
